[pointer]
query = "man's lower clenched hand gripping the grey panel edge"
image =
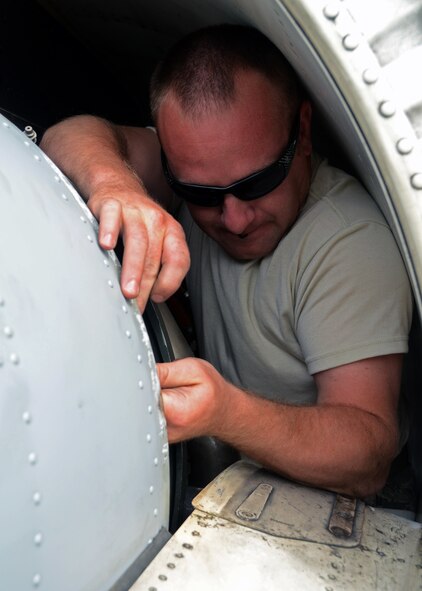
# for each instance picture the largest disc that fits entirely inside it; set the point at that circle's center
(194, 398)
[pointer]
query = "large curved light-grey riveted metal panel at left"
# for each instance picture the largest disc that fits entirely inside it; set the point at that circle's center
(83, 447)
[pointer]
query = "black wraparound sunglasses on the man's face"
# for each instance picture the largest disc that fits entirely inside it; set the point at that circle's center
(255, 185)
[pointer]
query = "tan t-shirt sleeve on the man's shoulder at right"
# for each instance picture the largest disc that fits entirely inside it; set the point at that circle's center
(353, 299)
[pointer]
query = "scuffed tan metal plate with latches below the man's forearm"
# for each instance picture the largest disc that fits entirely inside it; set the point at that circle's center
(242, 494)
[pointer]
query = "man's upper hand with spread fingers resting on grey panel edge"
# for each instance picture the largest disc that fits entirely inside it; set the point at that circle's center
(156, 256)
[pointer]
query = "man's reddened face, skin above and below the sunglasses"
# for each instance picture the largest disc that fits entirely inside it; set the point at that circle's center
(222, 147)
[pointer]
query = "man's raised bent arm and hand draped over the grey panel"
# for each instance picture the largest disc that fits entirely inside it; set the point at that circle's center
(106, 163)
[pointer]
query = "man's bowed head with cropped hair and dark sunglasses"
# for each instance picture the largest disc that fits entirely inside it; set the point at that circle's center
(225, 102)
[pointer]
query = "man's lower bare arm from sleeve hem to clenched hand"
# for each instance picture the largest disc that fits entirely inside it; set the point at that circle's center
(344, 443)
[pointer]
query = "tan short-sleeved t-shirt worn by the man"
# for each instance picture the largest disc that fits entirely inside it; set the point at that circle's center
(334, 291)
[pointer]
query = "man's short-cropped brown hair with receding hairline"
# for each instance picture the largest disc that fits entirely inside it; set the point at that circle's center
(200, 69)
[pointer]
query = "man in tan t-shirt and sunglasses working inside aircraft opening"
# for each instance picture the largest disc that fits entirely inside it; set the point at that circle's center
(300, 299)
